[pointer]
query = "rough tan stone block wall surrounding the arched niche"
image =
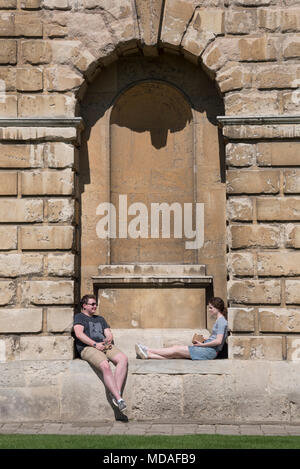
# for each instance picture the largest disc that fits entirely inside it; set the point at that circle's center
(50, 50)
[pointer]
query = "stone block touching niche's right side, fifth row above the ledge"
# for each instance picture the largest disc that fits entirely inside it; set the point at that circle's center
(249, 236)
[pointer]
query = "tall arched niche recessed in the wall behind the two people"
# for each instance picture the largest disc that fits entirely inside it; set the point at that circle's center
(151, 135)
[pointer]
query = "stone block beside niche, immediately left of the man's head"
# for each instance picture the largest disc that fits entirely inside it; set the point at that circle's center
(48, 292)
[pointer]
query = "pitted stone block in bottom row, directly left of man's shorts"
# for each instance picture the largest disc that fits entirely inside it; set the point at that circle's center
(46, 348)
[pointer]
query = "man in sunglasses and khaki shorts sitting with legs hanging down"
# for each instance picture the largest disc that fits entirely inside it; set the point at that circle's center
(94, 342)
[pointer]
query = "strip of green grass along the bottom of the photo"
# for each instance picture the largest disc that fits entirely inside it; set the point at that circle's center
(148, 442)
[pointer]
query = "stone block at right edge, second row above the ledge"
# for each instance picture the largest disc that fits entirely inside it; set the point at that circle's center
(279, 320)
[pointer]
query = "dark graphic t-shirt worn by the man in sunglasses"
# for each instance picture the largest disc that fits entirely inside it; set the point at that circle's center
(93, 327)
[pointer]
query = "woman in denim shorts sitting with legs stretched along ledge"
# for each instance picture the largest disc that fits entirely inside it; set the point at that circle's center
(206, 350)
